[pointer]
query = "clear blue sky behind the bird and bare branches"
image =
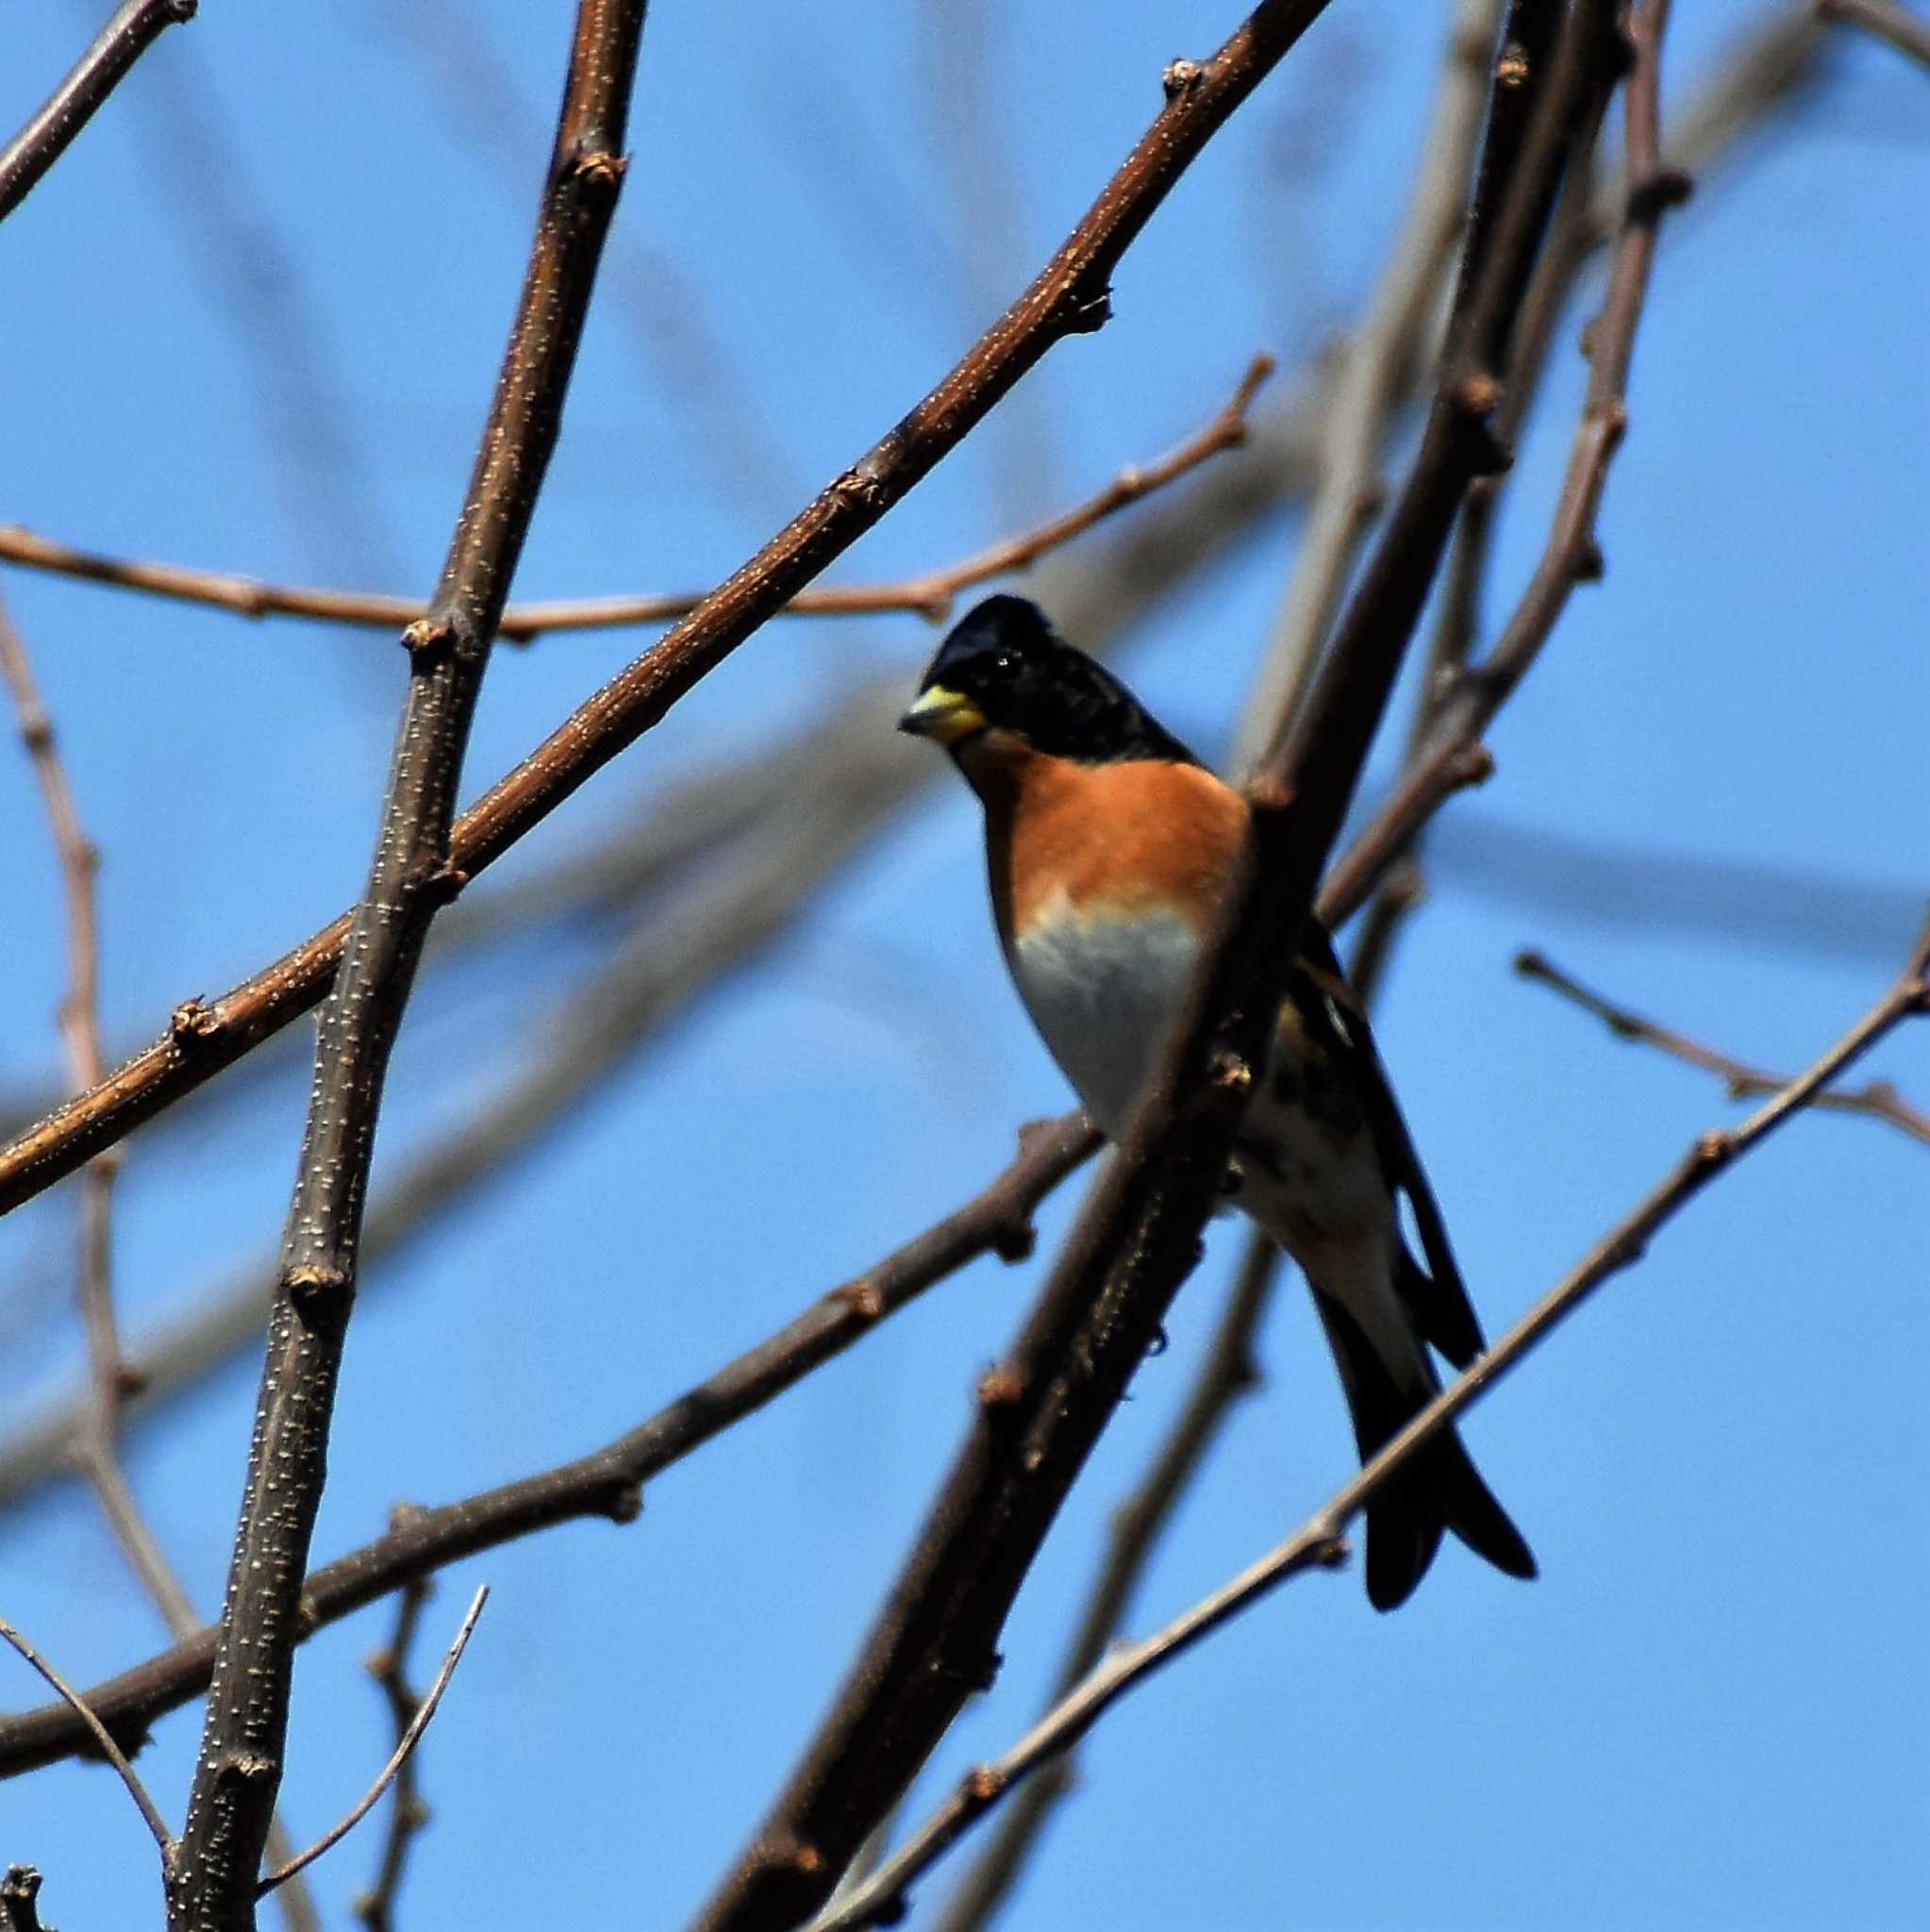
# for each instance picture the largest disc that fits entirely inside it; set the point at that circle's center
(1709, 1713)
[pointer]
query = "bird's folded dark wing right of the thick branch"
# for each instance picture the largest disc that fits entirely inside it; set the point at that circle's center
(1338, 1025)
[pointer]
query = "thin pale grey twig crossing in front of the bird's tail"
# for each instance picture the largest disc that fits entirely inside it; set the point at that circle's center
(1319, 1543)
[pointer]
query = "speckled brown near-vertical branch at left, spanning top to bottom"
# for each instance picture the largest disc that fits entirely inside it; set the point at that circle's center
(244, 1738)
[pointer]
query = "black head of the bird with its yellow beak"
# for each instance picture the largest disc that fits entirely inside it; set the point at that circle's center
(1004, 668)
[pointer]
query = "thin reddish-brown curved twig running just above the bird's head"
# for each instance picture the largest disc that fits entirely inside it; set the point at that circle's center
(928, 596)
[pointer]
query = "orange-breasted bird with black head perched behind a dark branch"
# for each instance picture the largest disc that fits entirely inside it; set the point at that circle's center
(1108, 849)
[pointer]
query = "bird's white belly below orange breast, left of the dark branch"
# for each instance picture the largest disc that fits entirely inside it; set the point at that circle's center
(1102, 994)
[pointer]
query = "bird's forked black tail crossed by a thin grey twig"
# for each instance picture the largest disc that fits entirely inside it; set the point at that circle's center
(1440, 1491)
